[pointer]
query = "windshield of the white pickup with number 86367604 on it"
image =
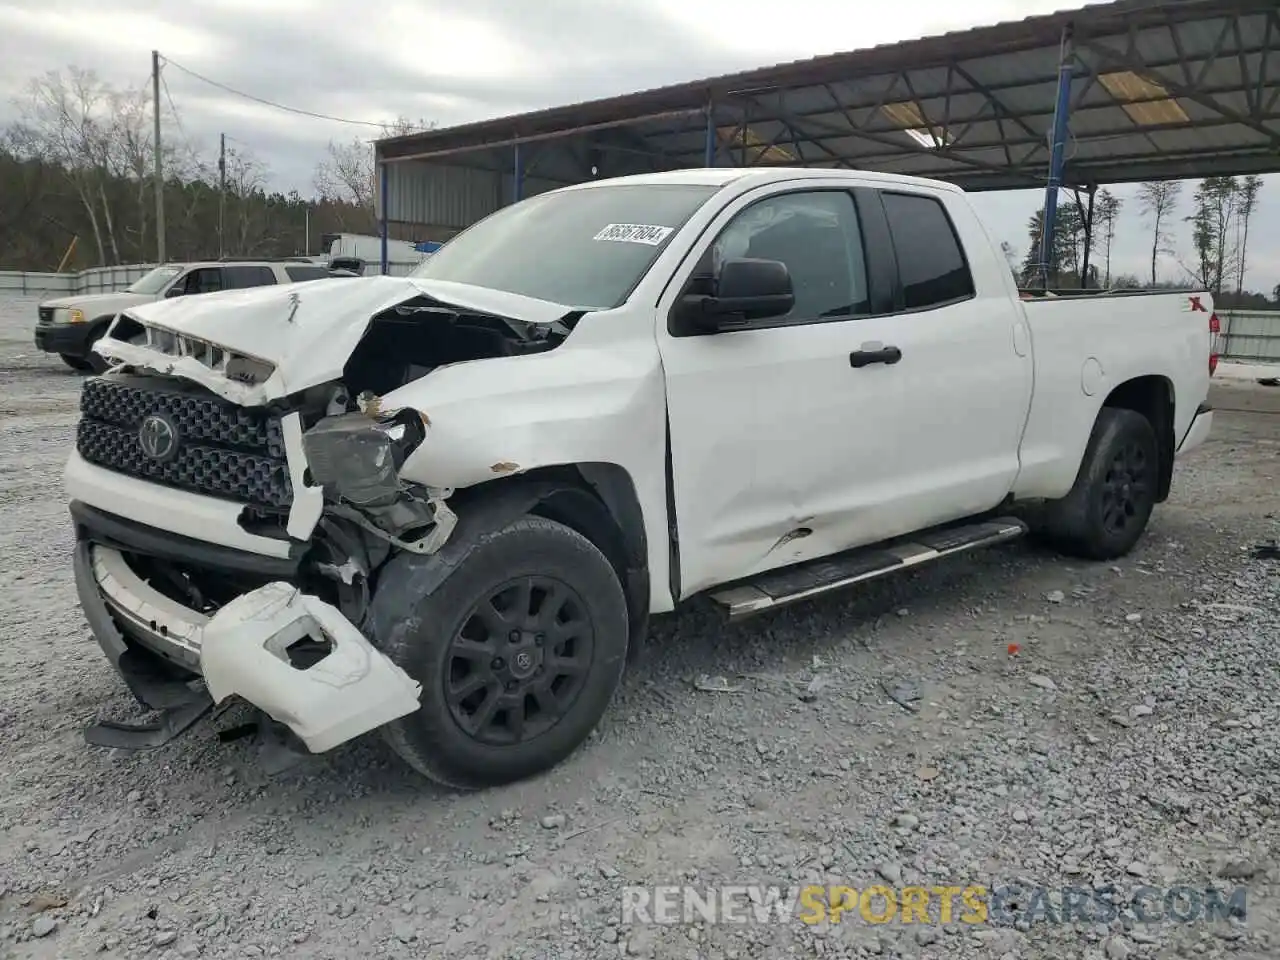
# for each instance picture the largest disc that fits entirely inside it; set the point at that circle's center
(582, 248)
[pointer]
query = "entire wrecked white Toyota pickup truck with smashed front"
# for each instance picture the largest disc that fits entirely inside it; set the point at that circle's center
(445, 506)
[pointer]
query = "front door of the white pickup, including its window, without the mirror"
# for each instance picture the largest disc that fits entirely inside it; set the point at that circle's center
(762, 419)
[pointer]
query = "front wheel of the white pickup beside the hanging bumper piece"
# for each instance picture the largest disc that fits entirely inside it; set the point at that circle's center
(458, 637)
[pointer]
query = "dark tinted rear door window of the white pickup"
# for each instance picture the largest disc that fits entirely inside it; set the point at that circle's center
(930, 260)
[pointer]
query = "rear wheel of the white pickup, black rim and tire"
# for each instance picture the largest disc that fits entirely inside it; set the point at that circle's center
(1110, 505)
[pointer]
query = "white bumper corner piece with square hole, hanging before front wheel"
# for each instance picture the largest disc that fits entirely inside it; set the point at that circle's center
(301, 662)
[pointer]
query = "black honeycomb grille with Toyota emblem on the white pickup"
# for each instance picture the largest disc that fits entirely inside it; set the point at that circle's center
(222, 450)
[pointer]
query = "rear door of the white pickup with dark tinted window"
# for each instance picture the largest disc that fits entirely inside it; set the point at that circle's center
(940, 428)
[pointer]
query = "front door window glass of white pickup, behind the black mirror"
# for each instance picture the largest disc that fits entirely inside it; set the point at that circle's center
(819, 237)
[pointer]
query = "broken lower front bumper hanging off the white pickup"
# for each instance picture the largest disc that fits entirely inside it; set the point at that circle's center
(180, 660)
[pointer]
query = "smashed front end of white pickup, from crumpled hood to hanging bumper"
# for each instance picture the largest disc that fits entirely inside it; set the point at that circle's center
(241, 563)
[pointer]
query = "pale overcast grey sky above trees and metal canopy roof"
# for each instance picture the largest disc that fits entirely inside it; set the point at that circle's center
(455, 61)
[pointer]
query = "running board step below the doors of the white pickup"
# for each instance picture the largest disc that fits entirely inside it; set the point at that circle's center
(778, 588)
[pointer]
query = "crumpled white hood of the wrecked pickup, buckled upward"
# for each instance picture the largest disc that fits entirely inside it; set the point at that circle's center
(308, 331)
